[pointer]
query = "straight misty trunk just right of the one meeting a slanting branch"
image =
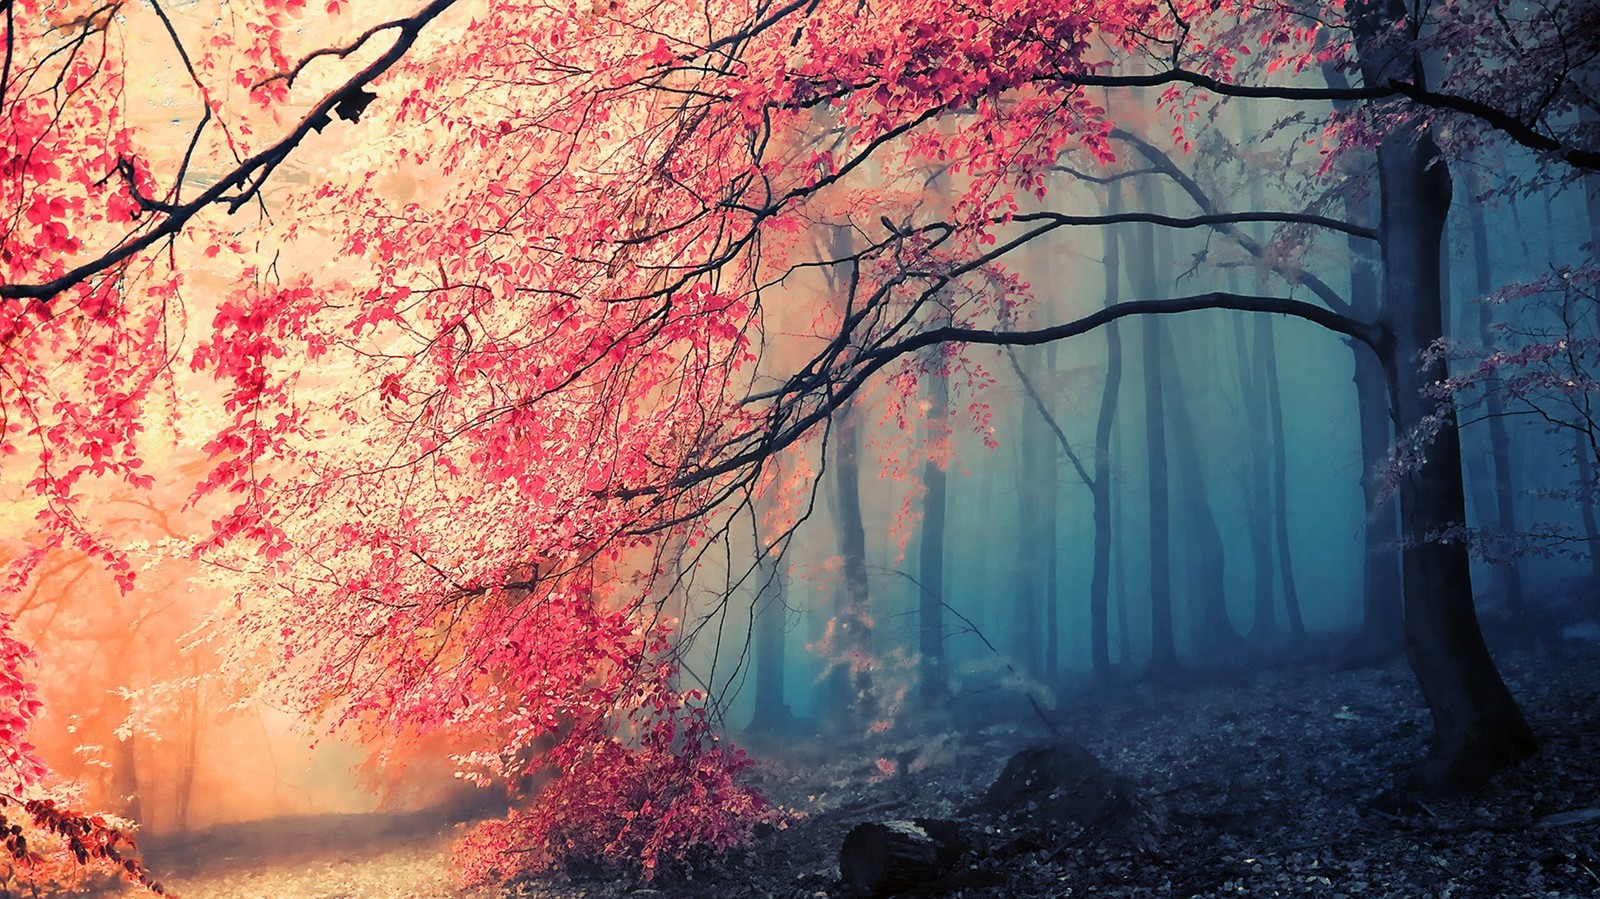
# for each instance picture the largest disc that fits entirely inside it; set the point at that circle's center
(1142, 276)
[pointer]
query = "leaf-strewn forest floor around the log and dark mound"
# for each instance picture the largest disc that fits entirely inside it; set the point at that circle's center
(1265, 783)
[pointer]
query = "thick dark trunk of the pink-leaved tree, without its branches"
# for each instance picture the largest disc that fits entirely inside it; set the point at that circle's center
(1478, 725)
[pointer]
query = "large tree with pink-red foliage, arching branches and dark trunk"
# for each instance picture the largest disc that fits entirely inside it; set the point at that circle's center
(556, 340)
